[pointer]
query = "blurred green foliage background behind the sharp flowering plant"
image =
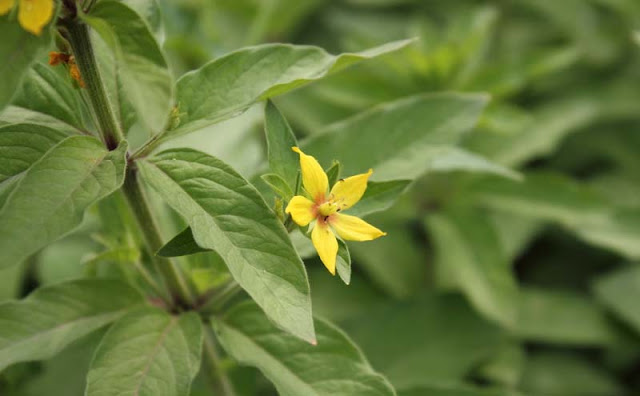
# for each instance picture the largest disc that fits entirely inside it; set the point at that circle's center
(484, 285)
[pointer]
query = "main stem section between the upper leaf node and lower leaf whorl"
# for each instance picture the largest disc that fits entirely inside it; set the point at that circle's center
(172, 274)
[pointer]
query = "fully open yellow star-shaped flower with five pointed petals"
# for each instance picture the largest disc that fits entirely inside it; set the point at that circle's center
(324, 209)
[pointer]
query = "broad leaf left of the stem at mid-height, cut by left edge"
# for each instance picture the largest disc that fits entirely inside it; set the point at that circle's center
(50, 199)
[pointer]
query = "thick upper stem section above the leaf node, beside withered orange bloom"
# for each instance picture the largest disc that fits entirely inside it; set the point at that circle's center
(78, 36)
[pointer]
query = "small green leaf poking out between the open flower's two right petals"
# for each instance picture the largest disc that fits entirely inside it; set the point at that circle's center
(379, 196)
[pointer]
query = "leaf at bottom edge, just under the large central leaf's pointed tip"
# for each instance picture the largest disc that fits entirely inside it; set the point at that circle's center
(335, 366)
